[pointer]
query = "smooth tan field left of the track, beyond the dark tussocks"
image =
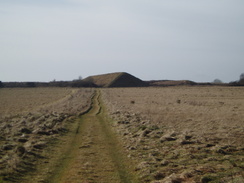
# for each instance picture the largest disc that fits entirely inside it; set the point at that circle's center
(19, 100)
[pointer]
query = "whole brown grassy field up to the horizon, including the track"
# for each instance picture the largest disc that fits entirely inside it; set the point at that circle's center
(169, 134)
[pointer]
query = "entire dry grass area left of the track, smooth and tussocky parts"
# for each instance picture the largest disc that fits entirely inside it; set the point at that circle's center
(30, 119)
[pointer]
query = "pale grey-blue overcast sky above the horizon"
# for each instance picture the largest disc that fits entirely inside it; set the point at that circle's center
(151, 39)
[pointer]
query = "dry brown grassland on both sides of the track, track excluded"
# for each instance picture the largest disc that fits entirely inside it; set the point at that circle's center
(177, 134)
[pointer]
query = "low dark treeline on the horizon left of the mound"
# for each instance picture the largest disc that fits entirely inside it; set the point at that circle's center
(76, 83)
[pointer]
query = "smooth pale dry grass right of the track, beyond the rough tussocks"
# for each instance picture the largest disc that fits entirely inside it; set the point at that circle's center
(198, 110)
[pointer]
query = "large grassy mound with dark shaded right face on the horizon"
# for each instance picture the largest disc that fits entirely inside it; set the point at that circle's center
(117, 79)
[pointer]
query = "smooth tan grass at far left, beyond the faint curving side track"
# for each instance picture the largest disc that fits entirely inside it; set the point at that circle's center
(17, 100)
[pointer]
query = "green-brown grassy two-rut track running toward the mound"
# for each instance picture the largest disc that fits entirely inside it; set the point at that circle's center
(92, 153)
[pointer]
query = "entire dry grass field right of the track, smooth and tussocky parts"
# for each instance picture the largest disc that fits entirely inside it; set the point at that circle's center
(191, 134)
